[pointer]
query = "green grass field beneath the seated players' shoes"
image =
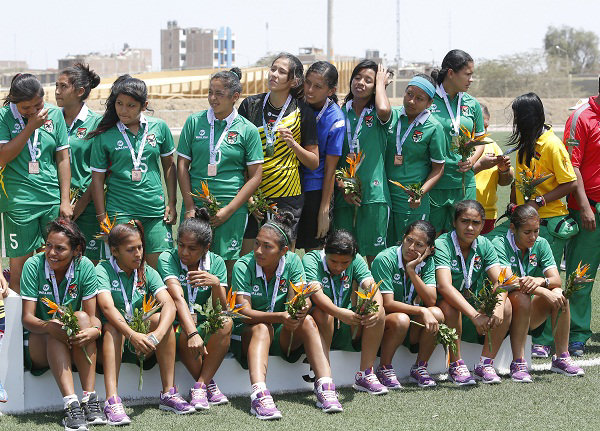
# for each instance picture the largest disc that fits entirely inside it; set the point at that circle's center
(551, 402)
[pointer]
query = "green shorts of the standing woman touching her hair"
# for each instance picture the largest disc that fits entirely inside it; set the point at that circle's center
(373, 220)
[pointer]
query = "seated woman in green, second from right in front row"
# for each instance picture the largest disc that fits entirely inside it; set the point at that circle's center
(463, 261)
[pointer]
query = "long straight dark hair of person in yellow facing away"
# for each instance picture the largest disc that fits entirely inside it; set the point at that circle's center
(528, 125)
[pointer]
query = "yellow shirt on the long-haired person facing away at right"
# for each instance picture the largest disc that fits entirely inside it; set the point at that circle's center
(550, 157)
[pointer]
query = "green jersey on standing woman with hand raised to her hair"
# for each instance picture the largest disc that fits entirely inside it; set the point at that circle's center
(371, 140)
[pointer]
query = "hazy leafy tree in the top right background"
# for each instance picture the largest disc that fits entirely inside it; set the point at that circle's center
(570, 49)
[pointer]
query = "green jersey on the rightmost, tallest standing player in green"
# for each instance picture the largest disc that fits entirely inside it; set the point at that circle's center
(471, 117)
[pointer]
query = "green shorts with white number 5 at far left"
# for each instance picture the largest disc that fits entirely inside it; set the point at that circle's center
(24, 230)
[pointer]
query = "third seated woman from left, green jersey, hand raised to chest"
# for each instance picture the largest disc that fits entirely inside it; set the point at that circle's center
(193, 275)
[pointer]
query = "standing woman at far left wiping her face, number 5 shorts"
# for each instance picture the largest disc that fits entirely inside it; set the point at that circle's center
(36, 174)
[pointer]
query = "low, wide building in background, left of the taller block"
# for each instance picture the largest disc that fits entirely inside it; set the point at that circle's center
(129, 60)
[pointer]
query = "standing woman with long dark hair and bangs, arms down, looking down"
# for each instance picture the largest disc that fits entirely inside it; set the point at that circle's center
(130, 146)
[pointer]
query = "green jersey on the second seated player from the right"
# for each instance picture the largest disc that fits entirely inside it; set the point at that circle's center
(482, 257)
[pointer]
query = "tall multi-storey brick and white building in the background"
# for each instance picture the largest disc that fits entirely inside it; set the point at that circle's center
(196, 48)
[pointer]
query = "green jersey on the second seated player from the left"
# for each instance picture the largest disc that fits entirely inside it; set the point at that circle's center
(114, 280)
